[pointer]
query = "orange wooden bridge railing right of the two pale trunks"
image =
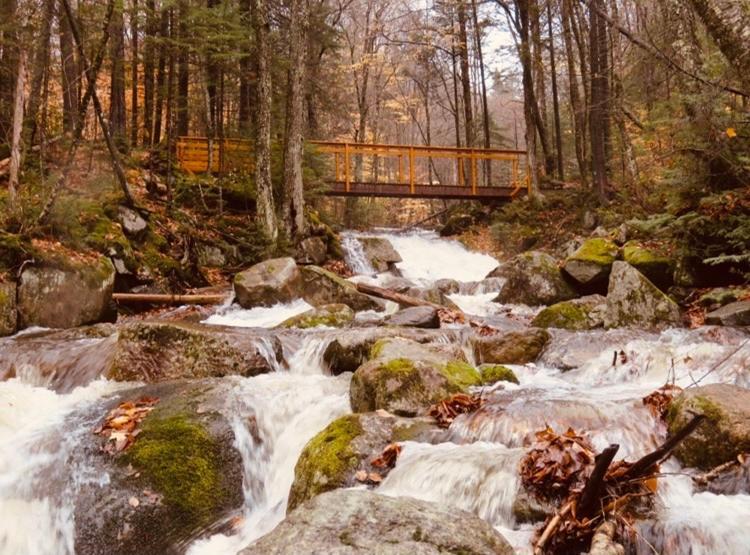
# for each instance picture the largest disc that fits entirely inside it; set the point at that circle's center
(473, 168)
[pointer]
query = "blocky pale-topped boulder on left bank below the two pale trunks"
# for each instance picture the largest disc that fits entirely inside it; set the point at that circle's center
(270, 282)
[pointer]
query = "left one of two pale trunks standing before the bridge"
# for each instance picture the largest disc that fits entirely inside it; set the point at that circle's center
(264, 187)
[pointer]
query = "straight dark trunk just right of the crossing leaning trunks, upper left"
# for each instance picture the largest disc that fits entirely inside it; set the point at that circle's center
(117, 116)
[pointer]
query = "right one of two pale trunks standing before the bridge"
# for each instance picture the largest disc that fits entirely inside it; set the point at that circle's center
(293, 207)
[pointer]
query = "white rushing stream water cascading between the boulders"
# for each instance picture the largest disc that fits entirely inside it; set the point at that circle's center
(574, 384)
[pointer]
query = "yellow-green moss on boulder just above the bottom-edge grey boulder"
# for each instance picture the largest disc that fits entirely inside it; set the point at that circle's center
(326, 460)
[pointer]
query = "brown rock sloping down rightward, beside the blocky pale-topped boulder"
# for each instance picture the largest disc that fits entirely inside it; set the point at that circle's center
(321, 287)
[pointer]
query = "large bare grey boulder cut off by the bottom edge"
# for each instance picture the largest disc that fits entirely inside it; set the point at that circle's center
(349, 522)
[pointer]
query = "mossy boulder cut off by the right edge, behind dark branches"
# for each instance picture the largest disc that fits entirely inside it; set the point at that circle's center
(724, 434)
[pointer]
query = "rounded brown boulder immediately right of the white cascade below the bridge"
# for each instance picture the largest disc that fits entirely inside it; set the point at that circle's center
(533, 278)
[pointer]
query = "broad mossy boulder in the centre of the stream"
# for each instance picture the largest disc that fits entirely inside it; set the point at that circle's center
(406, 378)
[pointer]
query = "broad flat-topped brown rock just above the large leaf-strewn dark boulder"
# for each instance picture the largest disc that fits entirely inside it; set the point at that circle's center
(154, 352)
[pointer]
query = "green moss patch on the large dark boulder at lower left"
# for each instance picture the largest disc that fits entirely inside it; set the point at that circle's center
(179, 459)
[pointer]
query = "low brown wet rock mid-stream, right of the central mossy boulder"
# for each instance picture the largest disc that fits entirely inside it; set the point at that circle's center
(516, 347)
